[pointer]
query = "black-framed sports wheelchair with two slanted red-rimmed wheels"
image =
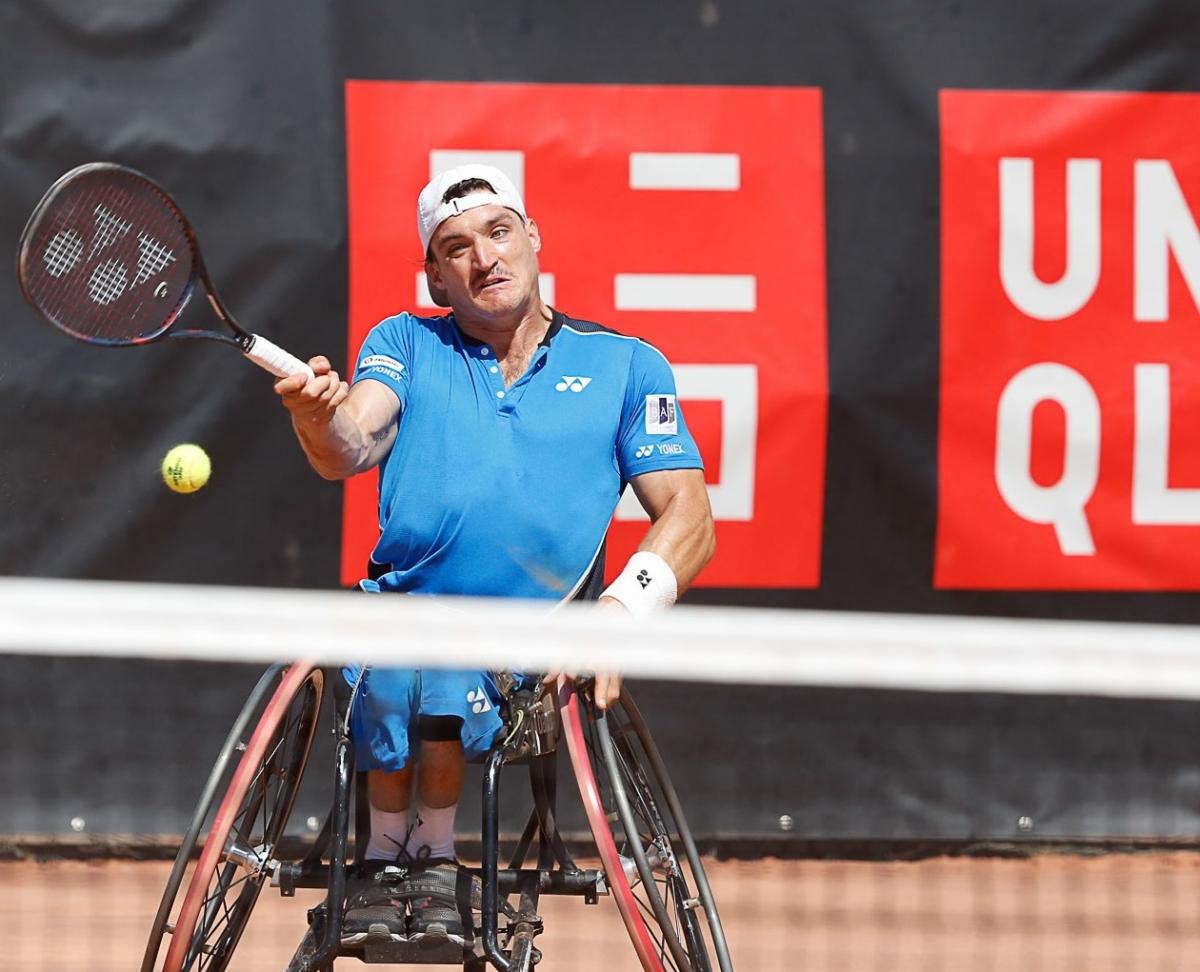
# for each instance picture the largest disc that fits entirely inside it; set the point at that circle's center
(651, 867)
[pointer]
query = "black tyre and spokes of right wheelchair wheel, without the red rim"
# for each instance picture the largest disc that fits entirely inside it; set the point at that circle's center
(668, 875)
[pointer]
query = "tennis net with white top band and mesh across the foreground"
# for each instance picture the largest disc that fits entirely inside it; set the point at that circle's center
(866, 791)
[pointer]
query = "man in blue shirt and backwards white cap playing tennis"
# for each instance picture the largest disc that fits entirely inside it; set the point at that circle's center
(505, 434)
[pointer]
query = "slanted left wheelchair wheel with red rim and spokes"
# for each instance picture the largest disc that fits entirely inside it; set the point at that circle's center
(247, 827)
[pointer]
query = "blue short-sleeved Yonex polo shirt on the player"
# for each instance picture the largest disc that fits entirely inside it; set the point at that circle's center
(501, 491)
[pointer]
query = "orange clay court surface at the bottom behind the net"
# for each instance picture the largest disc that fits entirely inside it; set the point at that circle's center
(1118, 913)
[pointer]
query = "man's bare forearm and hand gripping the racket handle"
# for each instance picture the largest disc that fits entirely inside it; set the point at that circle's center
(343, 430)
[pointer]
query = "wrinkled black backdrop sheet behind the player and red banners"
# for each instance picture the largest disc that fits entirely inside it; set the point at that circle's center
(238, 109)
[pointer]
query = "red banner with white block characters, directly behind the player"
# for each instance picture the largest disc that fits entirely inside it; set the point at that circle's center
(691, 217)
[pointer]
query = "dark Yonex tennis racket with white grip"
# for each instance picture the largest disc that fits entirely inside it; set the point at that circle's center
(110, 259)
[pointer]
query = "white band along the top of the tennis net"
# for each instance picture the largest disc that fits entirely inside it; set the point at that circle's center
(747, 646)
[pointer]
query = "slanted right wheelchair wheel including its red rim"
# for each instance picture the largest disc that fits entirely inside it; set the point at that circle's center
(655, 872)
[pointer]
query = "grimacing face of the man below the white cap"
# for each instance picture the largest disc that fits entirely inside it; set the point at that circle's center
(487, 262)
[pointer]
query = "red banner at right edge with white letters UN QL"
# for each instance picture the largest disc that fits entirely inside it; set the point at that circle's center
(1071, 347)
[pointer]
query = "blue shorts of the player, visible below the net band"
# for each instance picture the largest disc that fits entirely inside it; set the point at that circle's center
(388, 703)
